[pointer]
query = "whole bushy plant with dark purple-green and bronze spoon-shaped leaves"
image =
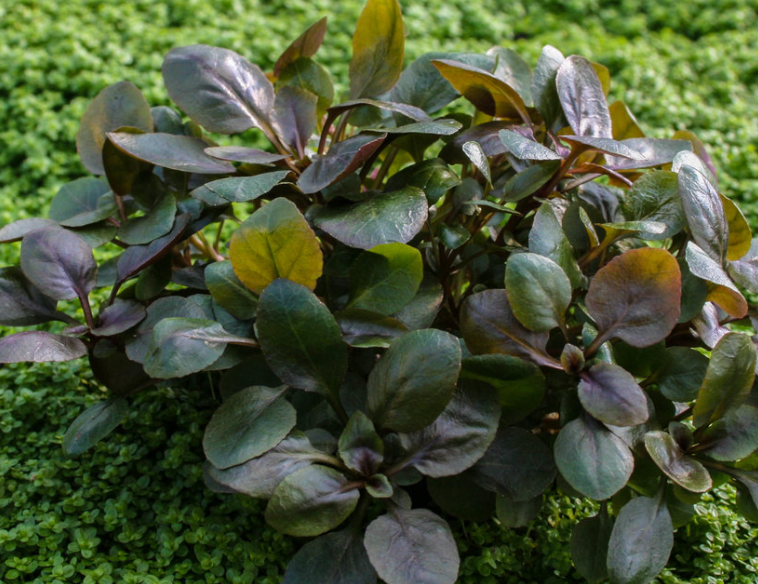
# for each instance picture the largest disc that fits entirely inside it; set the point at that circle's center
(427, 305)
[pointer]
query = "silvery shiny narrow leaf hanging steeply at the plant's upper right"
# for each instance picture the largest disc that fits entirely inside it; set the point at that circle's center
(705, 213)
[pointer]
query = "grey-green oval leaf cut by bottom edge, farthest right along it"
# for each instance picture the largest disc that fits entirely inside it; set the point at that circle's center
(641, 542)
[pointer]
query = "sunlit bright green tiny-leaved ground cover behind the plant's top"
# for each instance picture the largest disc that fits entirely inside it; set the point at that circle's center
(52, 64)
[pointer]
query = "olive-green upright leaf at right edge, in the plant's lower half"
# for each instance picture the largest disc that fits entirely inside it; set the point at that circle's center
(728, 379)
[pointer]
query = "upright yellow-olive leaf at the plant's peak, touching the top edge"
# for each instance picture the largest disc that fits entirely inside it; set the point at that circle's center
(378, 49)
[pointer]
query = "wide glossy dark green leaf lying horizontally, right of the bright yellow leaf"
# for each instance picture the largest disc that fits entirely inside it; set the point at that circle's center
(394, 217)
